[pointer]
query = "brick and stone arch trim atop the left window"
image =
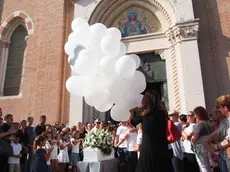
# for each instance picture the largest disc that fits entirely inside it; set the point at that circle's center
(17, 14)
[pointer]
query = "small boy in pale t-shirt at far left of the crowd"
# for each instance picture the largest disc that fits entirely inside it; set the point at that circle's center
(14, 160)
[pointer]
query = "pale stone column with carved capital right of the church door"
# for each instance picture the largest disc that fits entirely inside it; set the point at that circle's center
(184, 40)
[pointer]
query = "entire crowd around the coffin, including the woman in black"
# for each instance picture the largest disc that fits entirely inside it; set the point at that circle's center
(140, 144)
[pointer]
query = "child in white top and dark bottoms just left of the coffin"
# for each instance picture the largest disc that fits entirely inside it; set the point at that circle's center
(74, 157)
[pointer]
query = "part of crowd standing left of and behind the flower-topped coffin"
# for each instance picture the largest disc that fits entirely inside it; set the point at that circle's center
(45, 147)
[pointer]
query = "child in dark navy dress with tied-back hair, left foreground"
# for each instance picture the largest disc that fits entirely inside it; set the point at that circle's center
(42, 155)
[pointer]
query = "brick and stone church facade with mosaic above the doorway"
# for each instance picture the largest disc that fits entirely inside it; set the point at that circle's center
(184, 46)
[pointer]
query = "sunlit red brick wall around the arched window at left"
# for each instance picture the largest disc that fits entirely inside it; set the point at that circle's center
(43, 61)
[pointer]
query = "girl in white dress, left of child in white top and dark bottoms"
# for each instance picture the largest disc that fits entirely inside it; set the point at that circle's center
(63, 156)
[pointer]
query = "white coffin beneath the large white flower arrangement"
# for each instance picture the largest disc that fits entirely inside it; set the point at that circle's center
(95, 155)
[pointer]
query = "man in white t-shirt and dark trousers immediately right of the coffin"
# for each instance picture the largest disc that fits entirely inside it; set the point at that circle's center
(122, 148)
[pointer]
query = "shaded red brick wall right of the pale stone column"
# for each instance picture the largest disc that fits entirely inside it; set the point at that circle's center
(214, 46)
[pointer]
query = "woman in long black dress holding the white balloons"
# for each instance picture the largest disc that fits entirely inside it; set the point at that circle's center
(154, 154)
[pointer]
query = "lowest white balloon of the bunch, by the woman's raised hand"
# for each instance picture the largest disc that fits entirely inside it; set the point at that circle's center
(120, 113)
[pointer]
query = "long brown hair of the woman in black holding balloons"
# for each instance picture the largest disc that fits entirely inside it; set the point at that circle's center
(150, 101)
